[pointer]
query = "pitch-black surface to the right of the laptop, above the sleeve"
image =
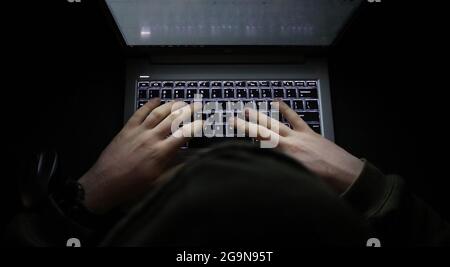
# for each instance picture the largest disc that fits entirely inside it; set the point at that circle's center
(386, 68)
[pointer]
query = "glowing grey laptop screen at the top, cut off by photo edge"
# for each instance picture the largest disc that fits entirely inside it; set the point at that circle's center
(231, 22)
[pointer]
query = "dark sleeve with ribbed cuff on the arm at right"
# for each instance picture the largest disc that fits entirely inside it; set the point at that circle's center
(398, 217)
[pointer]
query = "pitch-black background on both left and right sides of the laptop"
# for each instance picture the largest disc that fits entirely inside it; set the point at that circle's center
(64, 73)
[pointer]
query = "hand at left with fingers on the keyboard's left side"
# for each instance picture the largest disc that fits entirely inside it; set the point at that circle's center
(136, 157)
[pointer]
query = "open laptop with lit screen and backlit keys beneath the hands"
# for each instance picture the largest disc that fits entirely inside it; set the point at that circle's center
(246, 51)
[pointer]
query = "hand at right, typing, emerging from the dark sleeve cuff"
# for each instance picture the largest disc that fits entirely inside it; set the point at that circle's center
(334, 165)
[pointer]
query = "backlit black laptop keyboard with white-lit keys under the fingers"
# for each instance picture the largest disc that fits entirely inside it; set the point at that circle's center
(301, 95)
